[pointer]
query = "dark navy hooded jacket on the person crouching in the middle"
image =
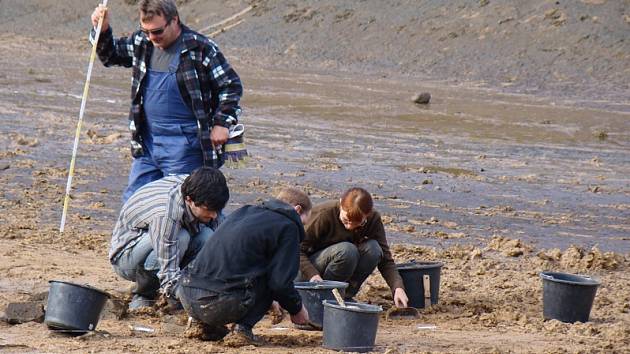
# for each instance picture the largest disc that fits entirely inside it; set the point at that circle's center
(255, 243)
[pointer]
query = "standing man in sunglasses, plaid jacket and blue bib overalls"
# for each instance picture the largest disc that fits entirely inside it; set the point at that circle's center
(184, 94)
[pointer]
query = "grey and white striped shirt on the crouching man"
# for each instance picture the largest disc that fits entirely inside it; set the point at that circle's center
(159, 209)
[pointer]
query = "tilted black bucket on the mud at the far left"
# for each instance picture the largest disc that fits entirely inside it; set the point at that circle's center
(74, 308)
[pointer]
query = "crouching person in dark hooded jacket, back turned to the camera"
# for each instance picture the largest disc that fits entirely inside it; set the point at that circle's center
(250, 261)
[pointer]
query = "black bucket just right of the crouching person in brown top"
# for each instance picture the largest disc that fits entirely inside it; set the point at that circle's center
(413, 274)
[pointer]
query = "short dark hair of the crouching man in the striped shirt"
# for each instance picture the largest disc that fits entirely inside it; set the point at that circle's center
(207, 187)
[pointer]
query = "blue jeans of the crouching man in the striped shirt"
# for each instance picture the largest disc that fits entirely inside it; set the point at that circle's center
(138, 262)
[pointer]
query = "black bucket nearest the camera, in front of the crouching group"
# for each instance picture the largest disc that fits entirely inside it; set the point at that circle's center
(351, 328)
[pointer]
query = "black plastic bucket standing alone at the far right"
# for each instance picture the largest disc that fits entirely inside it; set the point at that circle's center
(568, 297)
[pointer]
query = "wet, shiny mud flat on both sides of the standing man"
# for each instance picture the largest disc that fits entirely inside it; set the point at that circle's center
(470, 165)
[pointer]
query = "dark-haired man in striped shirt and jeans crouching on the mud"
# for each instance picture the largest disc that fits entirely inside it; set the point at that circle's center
(162, 227)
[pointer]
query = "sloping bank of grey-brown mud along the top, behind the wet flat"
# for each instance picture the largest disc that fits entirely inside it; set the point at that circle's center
(572, 52)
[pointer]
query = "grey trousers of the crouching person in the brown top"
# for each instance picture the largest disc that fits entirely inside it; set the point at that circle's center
(345, 261)
